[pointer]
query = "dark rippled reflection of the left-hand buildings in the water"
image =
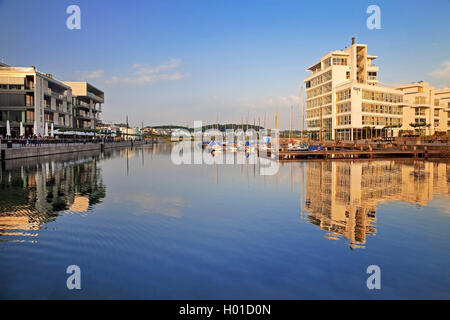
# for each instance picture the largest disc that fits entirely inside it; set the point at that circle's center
(34, 195)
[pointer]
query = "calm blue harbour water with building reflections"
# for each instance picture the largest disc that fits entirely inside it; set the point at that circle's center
(140, 227)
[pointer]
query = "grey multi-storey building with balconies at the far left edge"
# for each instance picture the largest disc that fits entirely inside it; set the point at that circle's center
(33, 98)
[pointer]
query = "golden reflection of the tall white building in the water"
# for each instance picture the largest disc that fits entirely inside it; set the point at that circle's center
(342, 196)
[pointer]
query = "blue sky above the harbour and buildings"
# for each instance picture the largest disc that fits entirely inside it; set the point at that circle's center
(178, 61)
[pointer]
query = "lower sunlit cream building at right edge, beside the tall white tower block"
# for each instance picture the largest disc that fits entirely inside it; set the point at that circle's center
(425, 109)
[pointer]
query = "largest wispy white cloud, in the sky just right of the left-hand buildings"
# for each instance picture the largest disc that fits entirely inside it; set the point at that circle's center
(145, 74)
